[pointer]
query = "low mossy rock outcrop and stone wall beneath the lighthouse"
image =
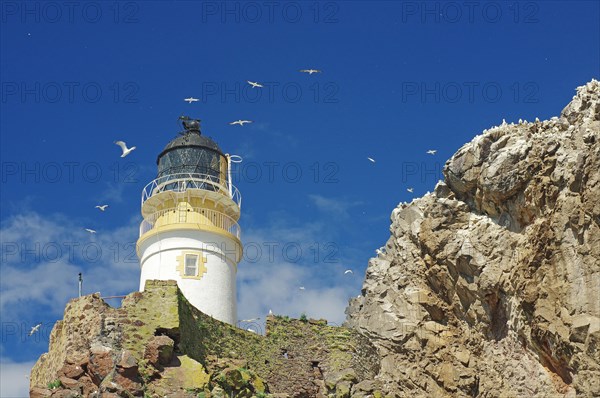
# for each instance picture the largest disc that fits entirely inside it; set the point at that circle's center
(157, 344)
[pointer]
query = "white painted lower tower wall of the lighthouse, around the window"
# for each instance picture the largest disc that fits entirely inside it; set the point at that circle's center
(215, 293)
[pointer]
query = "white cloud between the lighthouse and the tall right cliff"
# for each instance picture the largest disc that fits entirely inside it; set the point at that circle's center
(313, 260)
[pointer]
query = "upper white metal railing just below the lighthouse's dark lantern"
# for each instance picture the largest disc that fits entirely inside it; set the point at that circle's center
(181, 182)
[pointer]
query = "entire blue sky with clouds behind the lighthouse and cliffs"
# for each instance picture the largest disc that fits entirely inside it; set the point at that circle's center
(399, 78)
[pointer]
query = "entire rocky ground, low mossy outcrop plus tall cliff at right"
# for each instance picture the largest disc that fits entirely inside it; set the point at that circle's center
(488, 287)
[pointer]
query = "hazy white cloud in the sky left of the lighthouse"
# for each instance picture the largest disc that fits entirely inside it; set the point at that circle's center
(42, 256)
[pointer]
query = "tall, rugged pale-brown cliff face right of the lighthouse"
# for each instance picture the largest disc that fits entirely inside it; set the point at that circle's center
(490, 286)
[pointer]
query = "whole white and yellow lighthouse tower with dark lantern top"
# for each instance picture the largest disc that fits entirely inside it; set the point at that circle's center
(190, 230)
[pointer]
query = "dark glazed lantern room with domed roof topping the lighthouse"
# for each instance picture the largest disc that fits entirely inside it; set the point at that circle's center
(191, 152)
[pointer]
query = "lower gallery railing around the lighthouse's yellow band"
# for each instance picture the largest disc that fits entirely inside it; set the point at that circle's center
(192, 215)
